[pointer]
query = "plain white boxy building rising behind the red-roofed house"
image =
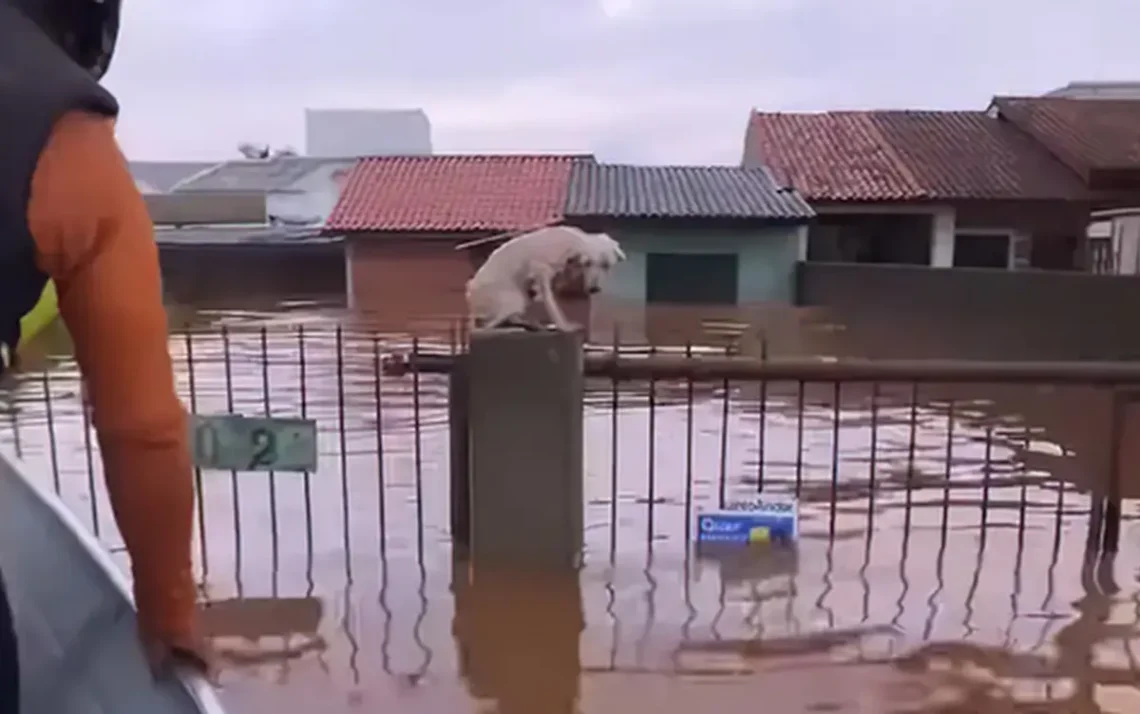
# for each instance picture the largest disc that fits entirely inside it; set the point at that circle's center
(367, 133)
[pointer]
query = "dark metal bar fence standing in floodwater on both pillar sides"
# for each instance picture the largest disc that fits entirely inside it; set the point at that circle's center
(854, 441)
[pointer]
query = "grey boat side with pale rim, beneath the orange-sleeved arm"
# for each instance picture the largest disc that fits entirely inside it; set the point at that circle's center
(75, 616)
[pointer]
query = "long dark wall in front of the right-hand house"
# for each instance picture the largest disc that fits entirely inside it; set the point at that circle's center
(924, 313)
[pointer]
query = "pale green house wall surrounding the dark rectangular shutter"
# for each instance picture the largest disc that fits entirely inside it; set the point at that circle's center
(768, 258)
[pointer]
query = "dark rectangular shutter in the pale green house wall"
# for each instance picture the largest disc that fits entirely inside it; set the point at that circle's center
(693, 279)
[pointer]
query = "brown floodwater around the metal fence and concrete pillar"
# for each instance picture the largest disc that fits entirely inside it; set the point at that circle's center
(941, 567)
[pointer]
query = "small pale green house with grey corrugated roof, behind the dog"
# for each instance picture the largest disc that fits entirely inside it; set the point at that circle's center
(702, 242)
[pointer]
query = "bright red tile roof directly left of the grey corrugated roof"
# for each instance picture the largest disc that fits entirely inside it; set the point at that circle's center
(453, 194)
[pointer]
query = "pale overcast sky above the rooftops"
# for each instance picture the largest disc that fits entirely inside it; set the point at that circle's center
(630, 80)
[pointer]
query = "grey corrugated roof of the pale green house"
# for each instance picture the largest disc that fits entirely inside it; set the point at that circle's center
(622, 191)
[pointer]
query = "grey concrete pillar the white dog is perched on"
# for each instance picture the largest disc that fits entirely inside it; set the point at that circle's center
(526, 448)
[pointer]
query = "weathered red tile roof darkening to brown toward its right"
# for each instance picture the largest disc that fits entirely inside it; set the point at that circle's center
(907, 156)
